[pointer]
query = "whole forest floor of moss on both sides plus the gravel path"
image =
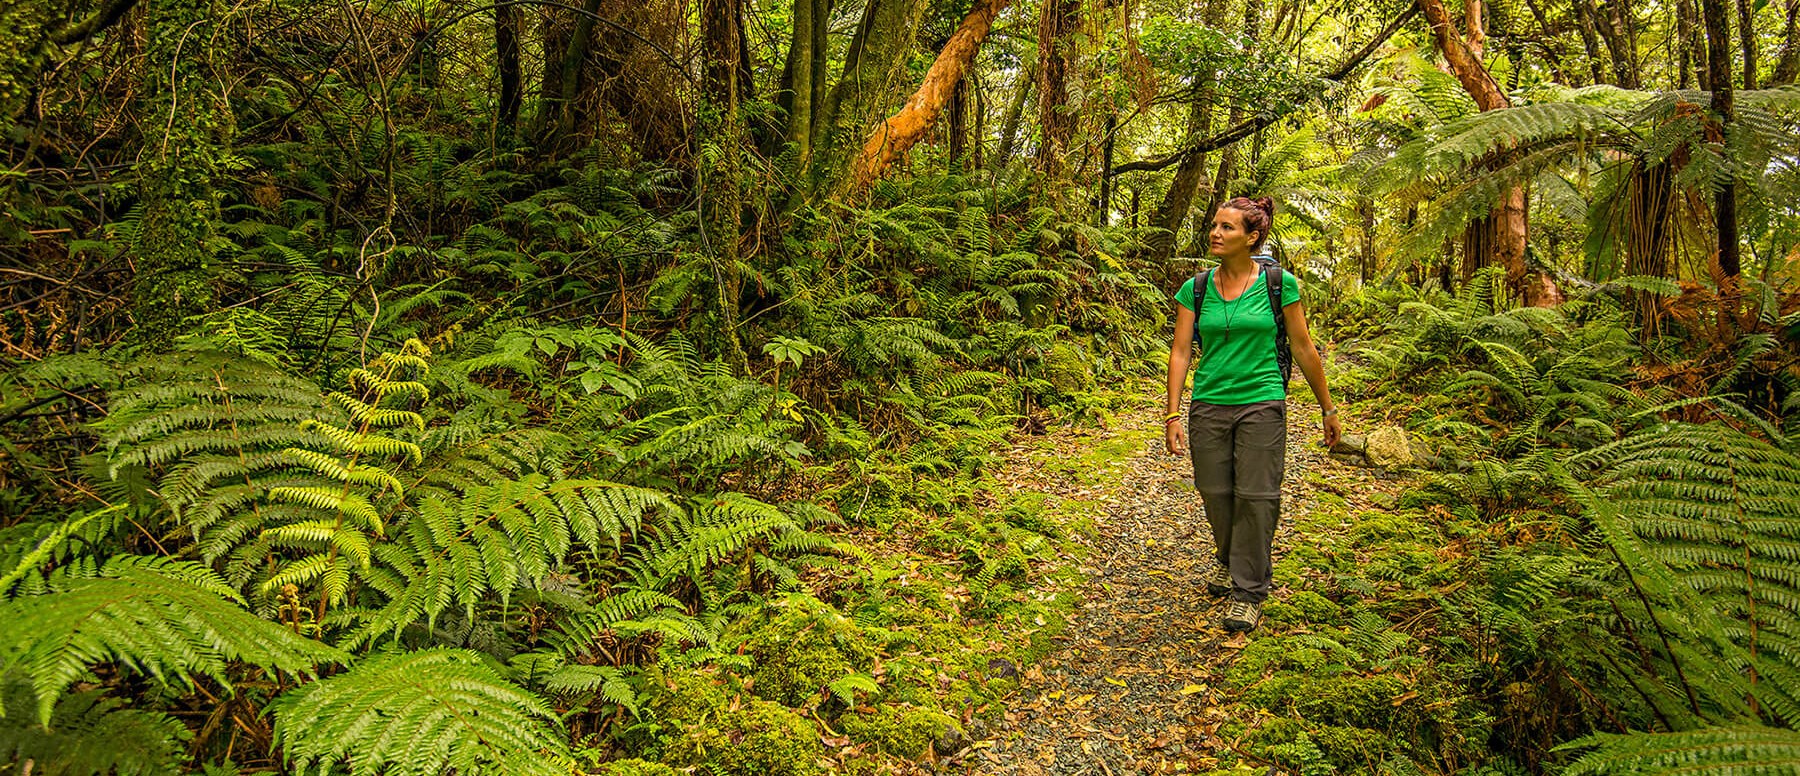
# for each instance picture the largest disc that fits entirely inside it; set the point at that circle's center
(1048, 613)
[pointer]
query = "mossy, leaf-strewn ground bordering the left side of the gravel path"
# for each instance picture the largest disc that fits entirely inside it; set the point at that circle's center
(890, 663)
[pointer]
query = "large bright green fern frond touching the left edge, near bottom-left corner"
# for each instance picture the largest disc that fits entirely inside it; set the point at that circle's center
(168, 620)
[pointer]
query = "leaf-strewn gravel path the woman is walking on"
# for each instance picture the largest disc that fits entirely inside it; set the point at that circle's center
(1131, 687)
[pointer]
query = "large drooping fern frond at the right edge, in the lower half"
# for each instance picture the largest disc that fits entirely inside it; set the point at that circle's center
(1705, 523)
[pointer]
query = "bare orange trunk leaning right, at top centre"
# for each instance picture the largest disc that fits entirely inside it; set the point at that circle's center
(895, 136)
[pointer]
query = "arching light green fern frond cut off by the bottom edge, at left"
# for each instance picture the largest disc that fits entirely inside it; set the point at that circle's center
(424, 714)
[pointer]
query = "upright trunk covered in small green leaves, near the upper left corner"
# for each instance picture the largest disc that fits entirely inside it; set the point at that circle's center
(186, 140)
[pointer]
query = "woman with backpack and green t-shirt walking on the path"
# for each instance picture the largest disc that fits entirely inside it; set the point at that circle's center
(1237, 420)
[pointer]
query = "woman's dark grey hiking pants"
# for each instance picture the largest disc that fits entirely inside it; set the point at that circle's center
(1239, 456)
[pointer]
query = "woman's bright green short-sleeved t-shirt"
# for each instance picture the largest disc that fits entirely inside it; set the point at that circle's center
(1239, 366)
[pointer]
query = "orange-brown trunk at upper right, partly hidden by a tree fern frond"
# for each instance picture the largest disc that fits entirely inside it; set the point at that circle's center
(1509, 219)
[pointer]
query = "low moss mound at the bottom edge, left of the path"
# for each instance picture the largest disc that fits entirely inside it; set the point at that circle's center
(755, 739)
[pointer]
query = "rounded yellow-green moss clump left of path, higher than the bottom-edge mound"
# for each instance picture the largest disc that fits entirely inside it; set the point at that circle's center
(798, 647)
